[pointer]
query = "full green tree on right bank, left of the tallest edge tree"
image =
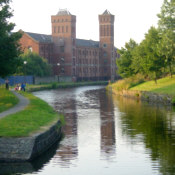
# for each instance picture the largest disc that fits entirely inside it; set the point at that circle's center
(148, 55)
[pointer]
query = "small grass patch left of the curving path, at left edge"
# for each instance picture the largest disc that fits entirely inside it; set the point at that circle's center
(7, 99)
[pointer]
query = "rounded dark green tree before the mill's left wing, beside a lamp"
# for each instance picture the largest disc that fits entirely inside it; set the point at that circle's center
(35, 65)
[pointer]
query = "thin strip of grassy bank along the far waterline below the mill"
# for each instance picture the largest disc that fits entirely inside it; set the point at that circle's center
(32, 88)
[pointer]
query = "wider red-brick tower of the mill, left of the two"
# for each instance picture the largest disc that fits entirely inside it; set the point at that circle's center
(63, 37)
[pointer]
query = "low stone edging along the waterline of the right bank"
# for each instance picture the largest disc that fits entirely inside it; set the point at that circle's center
(146, 96)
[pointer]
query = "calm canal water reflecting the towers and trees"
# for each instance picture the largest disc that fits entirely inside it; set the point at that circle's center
(105, 135)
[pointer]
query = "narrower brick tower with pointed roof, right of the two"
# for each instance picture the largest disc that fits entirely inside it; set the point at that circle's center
(107, 57)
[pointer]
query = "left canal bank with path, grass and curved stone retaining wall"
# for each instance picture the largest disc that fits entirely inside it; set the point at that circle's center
(27, 130)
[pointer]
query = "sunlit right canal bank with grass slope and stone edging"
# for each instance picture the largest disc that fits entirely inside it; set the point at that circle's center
(161, 92)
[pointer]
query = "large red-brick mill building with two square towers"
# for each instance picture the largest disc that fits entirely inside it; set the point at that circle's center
(75, 59)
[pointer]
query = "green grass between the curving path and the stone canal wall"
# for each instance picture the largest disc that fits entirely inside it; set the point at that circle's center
(36, 115)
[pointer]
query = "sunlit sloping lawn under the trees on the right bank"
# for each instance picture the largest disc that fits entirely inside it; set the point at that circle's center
(163, 86)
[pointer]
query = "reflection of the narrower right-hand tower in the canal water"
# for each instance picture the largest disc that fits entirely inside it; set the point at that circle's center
(107, 125)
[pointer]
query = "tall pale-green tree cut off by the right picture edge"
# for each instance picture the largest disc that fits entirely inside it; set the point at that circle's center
(167, 28)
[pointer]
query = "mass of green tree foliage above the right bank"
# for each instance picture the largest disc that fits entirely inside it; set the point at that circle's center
(154, 57)
